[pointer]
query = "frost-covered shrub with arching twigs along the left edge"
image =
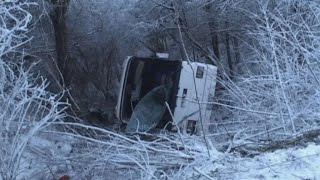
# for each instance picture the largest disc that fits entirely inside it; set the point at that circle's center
(25, 105)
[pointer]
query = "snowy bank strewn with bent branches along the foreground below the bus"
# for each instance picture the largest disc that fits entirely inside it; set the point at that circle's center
(74, 159)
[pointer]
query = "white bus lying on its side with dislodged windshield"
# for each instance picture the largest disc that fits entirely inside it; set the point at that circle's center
(162, 93)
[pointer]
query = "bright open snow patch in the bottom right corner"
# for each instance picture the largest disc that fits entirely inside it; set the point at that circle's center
(292, 163)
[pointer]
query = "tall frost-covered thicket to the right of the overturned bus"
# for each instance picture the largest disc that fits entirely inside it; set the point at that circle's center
(279, 94)
